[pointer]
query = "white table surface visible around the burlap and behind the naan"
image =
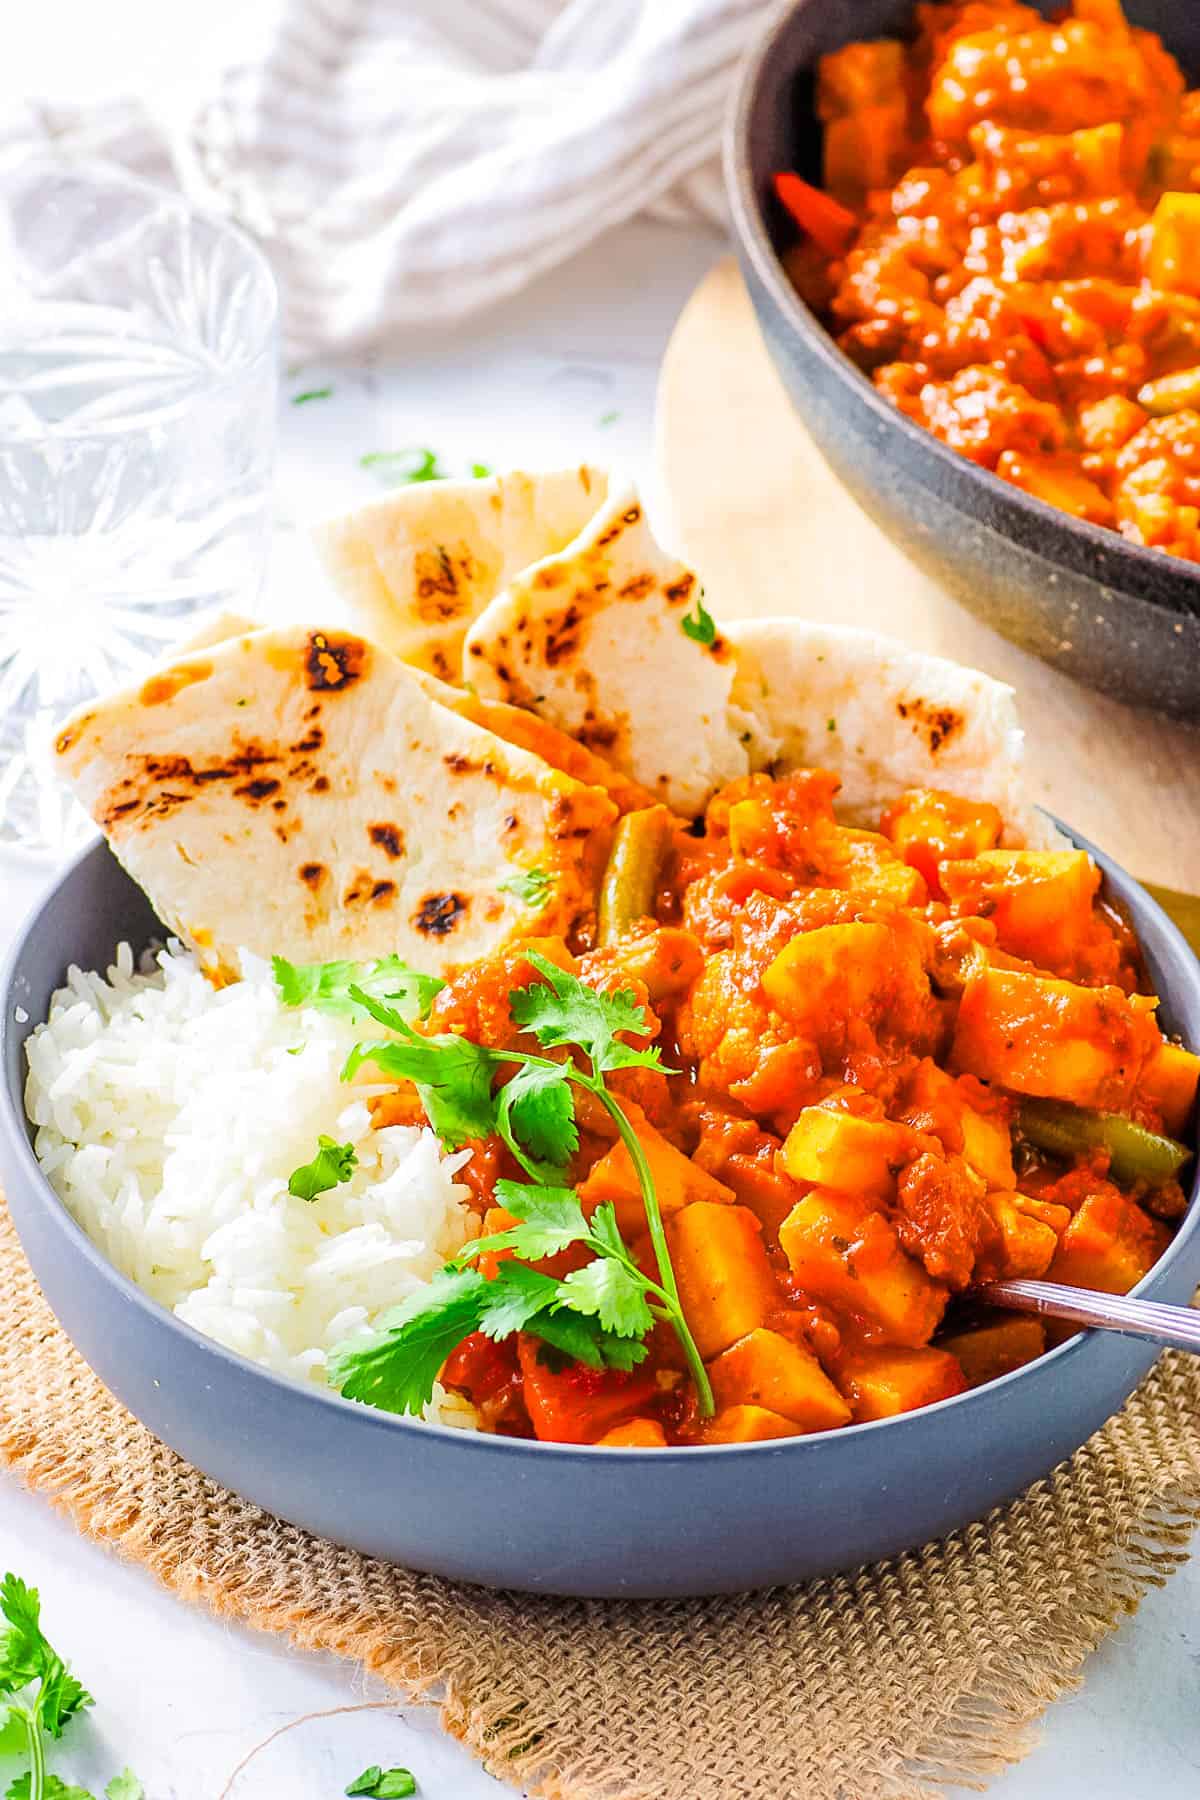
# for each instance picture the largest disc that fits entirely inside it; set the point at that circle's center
(186, 1698)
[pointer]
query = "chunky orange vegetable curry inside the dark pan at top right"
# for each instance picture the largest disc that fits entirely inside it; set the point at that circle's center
(1008, 244)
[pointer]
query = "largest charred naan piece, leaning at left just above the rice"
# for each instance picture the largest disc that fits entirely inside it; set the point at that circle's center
(301, 793)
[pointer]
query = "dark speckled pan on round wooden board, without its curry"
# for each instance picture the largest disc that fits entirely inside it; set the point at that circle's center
(1120, 616)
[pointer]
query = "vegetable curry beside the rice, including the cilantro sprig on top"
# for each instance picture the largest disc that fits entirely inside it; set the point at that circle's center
(793, 1097)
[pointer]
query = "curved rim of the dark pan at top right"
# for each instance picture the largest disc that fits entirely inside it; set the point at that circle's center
(1068, 535)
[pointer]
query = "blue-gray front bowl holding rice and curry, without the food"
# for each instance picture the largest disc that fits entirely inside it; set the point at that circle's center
(544, 1516)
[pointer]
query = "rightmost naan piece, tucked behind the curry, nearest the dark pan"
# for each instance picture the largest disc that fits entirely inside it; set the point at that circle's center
(882, 717)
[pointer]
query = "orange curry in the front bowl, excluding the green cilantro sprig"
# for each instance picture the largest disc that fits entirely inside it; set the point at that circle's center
(854, 1018)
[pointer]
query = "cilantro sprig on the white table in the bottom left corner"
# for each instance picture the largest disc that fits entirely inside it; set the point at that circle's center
(42, 1698)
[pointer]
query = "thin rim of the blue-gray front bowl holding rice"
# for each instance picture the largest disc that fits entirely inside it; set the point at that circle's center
(15, 1142)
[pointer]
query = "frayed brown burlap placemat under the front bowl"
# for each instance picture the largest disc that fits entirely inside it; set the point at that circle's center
(877, 1686)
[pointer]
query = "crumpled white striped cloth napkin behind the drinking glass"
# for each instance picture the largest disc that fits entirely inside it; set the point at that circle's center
(418, 159)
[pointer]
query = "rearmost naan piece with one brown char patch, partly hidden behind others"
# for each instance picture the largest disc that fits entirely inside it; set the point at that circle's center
(420, 566)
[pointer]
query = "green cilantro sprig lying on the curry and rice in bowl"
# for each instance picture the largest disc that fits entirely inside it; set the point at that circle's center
(598, 1315)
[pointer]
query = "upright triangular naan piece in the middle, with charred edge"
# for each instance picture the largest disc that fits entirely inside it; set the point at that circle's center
(593, 642)
